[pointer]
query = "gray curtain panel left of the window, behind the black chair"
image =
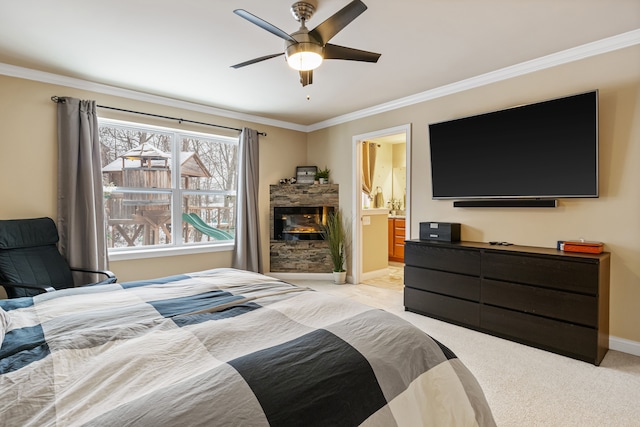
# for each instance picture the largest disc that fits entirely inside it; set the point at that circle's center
(80, 198)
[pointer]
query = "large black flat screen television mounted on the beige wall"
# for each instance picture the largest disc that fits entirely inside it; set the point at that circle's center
(545, 150)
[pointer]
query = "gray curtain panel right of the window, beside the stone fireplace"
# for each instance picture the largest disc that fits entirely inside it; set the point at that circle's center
(247, 254)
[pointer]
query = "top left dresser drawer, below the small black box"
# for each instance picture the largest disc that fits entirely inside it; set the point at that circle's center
(464, 261)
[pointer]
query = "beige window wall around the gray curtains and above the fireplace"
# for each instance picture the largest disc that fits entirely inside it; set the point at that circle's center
(28, 162)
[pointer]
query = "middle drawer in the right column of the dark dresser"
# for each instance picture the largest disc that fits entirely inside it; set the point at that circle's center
(575, 308)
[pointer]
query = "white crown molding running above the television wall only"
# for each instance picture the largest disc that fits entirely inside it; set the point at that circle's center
(609, 44)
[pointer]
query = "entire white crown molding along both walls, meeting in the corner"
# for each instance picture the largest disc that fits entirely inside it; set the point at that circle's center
(599, 47)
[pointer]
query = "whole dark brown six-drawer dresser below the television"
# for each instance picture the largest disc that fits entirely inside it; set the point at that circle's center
(546, 298)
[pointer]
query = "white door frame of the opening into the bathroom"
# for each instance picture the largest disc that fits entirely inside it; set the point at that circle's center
(361, 217)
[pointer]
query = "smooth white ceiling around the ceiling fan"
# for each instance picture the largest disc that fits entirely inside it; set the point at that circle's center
(184, 49)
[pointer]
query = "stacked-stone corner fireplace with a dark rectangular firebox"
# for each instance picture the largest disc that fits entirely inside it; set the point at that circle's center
(296, 244)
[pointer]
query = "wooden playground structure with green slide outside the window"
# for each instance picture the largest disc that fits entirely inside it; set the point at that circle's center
(139, 218)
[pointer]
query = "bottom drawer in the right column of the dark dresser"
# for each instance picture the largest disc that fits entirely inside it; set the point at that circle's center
(565, 338)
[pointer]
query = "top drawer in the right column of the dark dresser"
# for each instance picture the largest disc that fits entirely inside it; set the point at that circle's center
(570, 275)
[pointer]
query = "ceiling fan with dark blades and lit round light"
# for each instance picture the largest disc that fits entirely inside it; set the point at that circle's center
(306, 49)
